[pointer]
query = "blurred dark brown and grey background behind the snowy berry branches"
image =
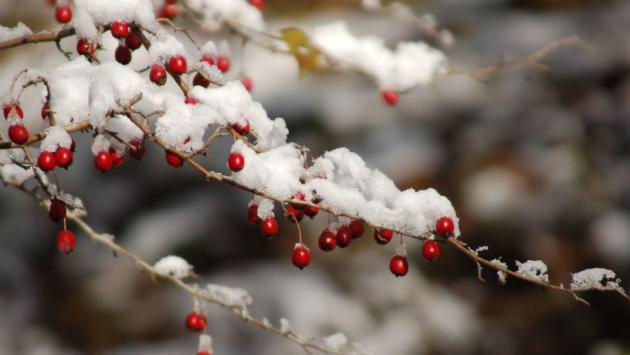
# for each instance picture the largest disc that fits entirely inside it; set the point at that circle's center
(537, 164)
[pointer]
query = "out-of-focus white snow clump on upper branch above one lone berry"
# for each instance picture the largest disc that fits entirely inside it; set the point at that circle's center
(410, 64)
